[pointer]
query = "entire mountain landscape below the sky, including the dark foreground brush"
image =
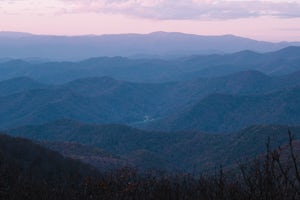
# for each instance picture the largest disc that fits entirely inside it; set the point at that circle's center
(139, 116)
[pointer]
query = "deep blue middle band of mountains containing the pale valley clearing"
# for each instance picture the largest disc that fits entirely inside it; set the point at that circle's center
(220, 104)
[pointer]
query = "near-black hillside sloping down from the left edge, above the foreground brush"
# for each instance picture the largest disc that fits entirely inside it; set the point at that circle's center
(39, 163)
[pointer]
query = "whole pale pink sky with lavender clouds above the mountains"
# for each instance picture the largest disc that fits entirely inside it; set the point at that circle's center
(269, 20)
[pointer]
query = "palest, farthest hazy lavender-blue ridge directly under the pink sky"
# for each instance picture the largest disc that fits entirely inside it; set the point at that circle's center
(23, 45)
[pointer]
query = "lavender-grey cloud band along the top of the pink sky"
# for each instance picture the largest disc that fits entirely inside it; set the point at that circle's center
(176, 9)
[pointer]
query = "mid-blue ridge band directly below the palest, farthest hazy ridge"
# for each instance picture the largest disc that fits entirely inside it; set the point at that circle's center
(149, 70)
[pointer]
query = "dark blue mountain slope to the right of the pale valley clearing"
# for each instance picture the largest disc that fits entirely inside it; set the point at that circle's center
(223, 113)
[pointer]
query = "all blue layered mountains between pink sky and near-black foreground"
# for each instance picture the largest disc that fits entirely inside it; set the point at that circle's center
(179, 113)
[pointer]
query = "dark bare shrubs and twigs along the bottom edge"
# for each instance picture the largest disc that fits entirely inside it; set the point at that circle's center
(273, 176)
